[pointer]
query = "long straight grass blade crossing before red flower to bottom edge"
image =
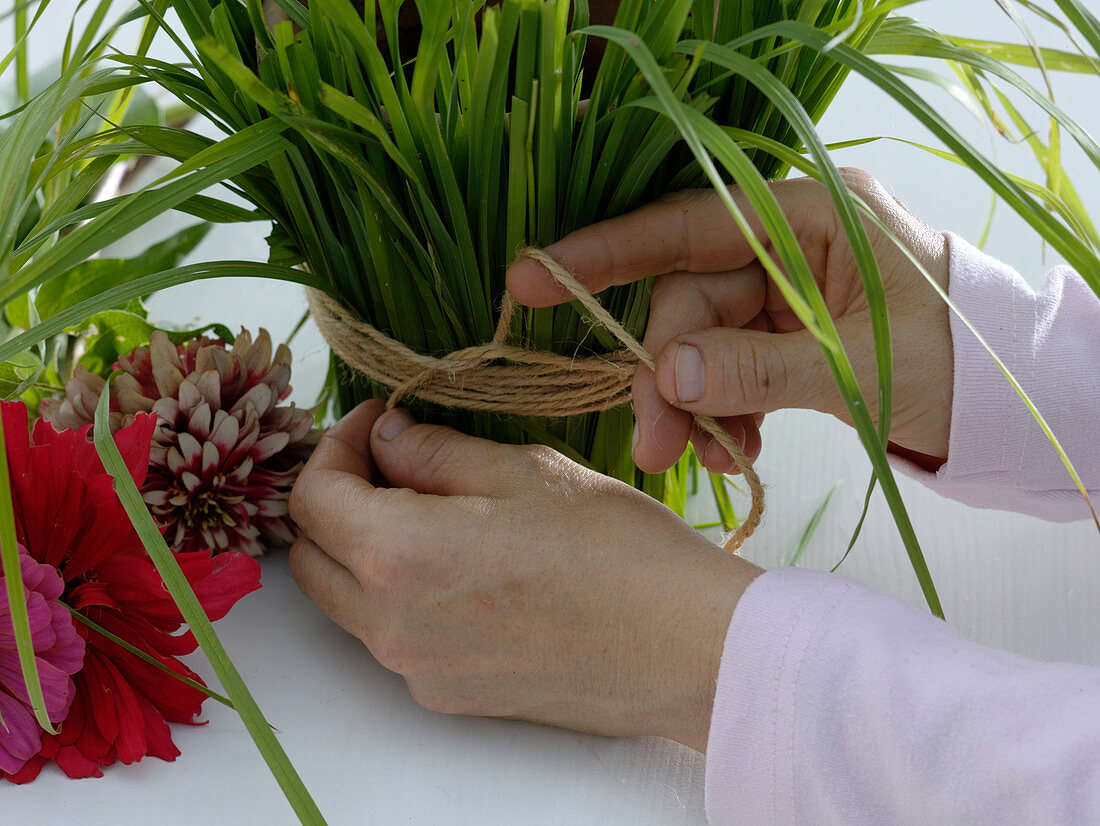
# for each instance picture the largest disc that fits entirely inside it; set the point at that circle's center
(192, 611)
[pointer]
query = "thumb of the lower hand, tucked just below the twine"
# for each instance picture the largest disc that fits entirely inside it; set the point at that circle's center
(435, 460)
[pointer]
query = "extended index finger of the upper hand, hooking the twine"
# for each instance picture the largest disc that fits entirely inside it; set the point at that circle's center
(689, 232)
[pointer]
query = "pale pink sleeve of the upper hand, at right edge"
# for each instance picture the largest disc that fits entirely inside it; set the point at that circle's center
(999, 457)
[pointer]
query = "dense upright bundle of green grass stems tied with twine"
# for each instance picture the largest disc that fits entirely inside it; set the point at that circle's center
(409, 192)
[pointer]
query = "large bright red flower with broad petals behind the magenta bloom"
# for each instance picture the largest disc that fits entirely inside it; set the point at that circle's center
(69, 516)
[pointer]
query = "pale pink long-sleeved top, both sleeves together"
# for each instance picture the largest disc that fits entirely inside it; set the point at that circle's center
(840, 706)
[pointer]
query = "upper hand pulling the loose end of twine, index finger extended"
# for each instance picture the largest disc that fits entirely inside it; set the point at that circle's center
(728, 344)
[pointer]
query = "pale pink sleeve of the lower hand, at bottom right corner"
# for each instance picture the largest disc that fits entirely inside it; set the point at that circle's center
(840, 706)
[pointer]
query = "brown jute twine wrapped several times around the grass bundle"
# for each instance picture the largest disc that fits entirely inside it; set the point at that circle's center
(501, 378)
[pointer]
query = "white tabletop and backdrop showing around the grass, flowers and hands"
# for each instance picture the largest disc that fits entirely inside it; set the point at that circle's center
(370, 755)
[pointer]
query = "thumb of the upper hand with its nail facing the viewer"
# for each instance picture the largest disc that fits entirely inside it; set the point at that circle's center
(734, 371)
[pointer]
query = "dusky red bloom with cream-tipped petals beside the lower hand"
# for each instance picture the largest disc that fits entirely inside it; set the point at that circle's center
(226, 454)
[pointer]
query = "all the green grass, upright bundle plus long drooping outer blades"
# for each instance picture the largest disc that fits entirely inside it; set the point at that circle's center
(405, 153)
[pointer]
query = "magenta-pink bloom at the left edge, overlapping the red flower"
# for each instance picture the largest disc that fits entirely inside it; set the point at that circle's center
(59, 652)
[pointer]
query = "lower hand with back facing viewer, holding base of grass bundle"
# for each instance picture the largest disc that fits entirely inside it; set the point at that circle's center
(511, 582)
